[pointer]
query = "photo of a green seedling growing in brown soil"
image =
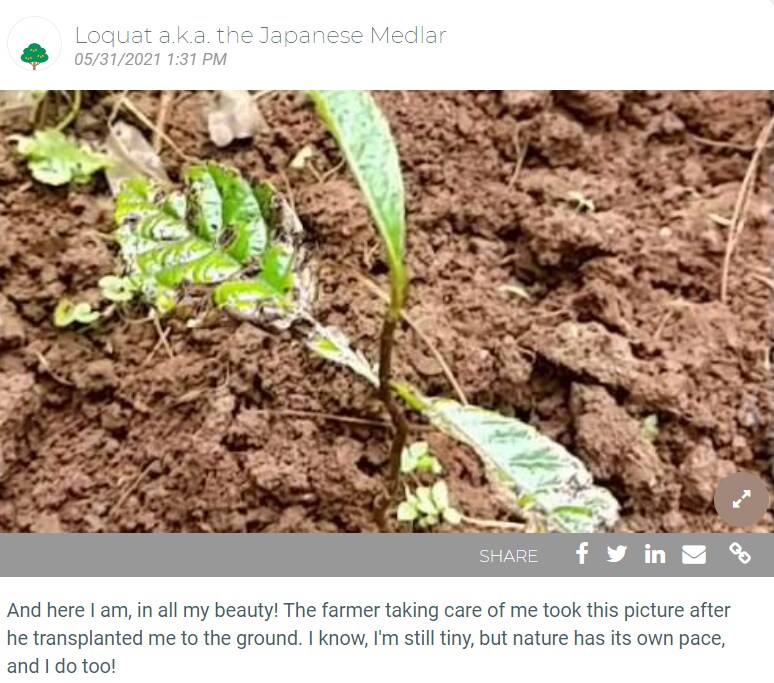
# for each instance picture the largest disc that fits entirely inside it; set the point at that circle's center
(402, 311)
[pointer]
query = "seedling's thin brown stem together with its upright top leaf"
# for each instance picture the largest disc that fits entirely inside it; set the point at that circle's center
(365, 140)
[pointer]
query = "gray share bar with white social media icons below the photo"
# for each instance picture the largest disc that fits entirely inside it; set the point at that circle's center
(309, 555)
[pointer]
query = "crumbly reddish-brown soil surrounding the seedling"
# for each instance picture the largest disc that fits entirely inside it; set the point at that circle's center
(104, 431)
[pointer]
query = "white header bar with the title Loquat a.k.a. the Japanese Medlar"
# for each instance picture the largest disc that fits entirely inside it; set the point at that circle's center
(405, 44)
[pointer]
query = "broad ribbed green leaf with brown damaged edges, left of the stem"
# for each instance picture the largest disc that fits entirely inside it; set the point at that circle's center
(220, 237)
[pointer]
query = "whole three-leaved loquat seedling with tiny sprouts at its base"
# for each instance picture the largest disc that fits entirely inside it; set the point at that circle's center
(222, 243)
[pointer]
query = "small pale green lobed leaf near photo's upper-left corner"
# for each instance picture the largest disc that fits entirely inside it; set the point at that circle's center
(56, 159)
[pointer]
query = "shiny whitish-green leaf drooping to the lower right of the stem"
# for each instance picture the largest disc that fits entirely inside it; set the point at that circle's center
(544, 476)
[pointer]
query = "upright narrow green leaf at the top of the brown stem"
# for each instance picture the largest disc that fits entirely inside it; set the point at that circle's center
(365, 140)
